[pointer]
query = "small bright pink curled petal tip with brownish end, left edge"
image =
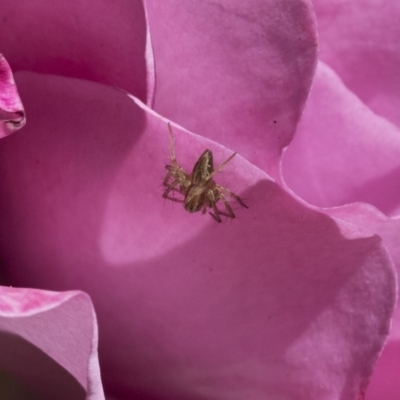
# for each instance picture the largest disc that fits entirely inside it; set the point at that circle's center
(12, 114)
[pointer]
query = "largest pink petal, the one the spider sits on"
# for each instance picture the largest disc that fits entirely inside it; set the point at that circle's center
(283, 301)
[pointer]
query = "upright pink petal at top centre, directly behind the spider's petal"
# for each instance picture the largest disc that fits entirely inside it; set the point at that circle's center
(233, 72)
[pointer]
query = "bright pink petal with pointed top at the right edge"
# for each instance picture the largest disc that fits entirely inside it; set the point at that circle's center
(342, 151)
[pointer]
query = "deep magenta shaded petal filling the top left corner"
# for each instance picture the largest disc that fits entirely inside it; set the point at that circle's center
(100, 41)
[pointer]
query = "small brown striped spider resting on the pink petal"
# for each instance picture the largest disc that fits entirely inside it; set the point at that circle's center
(199, 188)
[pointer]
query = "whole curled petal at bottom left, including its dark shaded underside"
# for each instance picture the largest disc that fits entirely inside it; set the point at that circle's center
(49, 343)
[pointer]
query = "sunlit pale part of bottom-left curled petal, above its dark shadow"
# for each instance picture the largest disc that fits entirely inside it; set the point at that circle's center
(61, 324)
